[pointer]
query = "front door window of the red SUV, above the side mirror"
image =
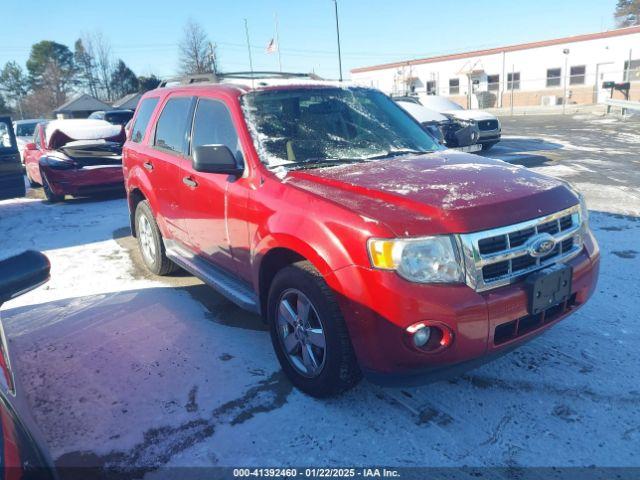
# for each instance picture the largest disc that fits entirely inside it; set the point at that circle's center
(212, 125)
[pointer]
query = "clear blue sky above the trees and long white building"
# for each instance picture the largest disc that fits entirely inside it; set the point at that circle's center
(145, 33)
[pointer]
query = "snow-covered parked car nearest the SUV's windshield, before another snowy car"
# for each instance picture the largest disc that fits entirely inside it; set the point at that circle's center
(460, 134)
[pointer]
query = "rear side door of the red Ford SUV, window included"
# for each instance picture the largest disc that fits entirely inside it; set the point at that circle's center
(170, 144)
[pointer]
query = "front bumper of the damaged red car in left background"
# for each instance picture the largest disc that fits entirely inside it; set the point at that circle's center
(84, 181)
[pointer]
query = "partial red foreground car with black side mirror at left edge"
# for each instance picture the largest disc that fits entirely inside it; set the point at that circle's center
(23, 455)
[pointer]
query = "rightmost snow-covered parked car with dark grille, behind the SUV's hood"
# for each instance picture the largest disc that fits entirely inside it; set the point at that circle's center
(488, 125)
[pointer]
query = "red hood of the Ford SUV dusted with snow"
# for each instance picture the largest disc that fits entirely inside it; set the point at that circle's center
(442, 192)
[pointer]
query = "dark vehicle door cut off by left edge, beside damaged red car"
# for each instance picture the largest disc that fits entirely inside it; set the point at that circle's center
(11, 177)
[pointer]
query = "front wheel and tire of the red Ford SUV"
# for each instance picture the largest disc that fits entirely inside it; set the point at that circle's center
(309, 334)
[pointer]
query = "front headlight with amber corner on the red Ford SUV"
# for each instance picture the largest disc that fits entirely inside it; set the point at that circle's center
(423, 260)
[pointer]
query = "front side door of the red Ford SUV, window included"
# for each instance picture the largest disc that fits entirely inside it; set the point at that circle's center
(206, 197)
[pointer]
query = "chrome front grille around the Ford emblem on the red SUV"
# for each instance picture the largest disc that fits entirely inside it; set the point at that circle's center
(497, 257)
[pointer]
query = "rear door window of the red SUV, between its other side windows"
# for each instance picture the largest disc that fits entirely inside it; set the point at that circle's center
(171, 130)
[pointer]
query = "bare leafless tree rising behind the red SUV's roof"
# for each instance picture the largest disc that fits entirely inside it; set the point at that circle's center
(197, 53)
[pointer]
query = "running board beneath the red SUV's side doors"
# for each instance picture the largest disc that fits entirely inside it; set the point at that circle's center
(236, 290)
